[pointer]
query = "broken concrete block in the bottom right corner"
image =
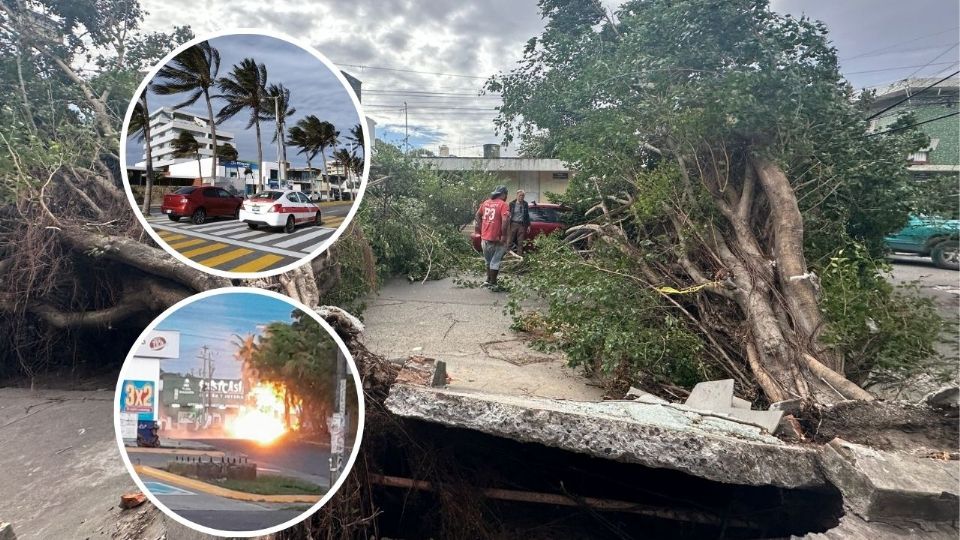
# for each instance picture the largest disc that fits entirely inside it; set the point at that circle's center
(878, 485)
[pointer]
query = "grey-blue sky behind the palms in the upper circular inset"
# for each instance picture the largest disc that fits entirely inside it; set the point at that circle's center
(313, 90)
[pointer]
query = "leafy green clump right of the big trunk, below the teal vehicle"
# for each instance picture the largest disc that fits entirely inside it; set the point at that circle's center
(884, 333)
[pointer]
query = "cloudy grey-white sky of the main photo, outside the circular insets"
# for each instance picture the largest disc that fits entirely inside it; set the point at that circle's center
(435, 55)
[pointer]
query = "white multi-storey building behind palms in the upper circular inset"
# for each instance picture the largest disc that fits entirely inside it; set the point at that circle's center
(166, 124)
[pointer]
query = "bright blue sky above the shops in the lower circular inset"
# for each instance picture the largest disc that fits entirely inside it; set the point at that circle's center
(213, 321)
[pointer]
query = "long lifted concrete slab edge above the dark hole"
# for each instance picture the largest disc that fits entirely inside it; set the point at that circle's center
(653, 435)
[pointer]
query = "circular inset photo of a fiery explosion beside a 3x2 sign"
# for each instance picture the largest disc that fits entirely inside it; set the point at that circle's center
(238, 412)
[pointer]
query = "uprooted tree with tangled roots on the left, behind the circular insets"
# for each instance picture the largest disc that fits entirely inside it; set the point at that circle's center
(80, 278)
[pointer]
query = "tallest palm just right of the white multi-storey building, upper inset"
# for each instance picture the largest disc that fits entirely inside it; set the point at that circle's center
(245, 88)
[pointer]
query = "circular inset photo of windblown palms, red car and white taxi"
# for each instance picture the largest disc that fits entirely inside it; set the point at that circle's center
(245, 154)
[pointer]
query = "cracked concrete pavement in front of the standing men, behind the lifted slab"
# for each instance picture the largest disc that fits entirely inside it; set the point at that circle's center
(468, 330)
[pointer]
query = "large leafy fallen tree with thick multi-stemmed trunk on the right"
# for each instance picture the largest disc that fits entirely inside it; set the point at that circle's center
(722, 166)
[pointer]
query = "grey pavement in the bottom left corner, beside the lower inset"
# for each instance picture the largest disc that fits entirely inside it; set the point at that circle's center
(62, 473)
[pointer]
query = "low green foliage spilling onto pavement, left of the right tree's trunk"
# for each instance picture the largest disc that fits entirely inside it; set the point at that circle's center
(605, 320)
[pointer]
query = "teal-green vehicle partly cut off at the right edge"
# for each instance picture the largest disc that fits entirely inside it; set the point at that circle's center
(936, 238)
